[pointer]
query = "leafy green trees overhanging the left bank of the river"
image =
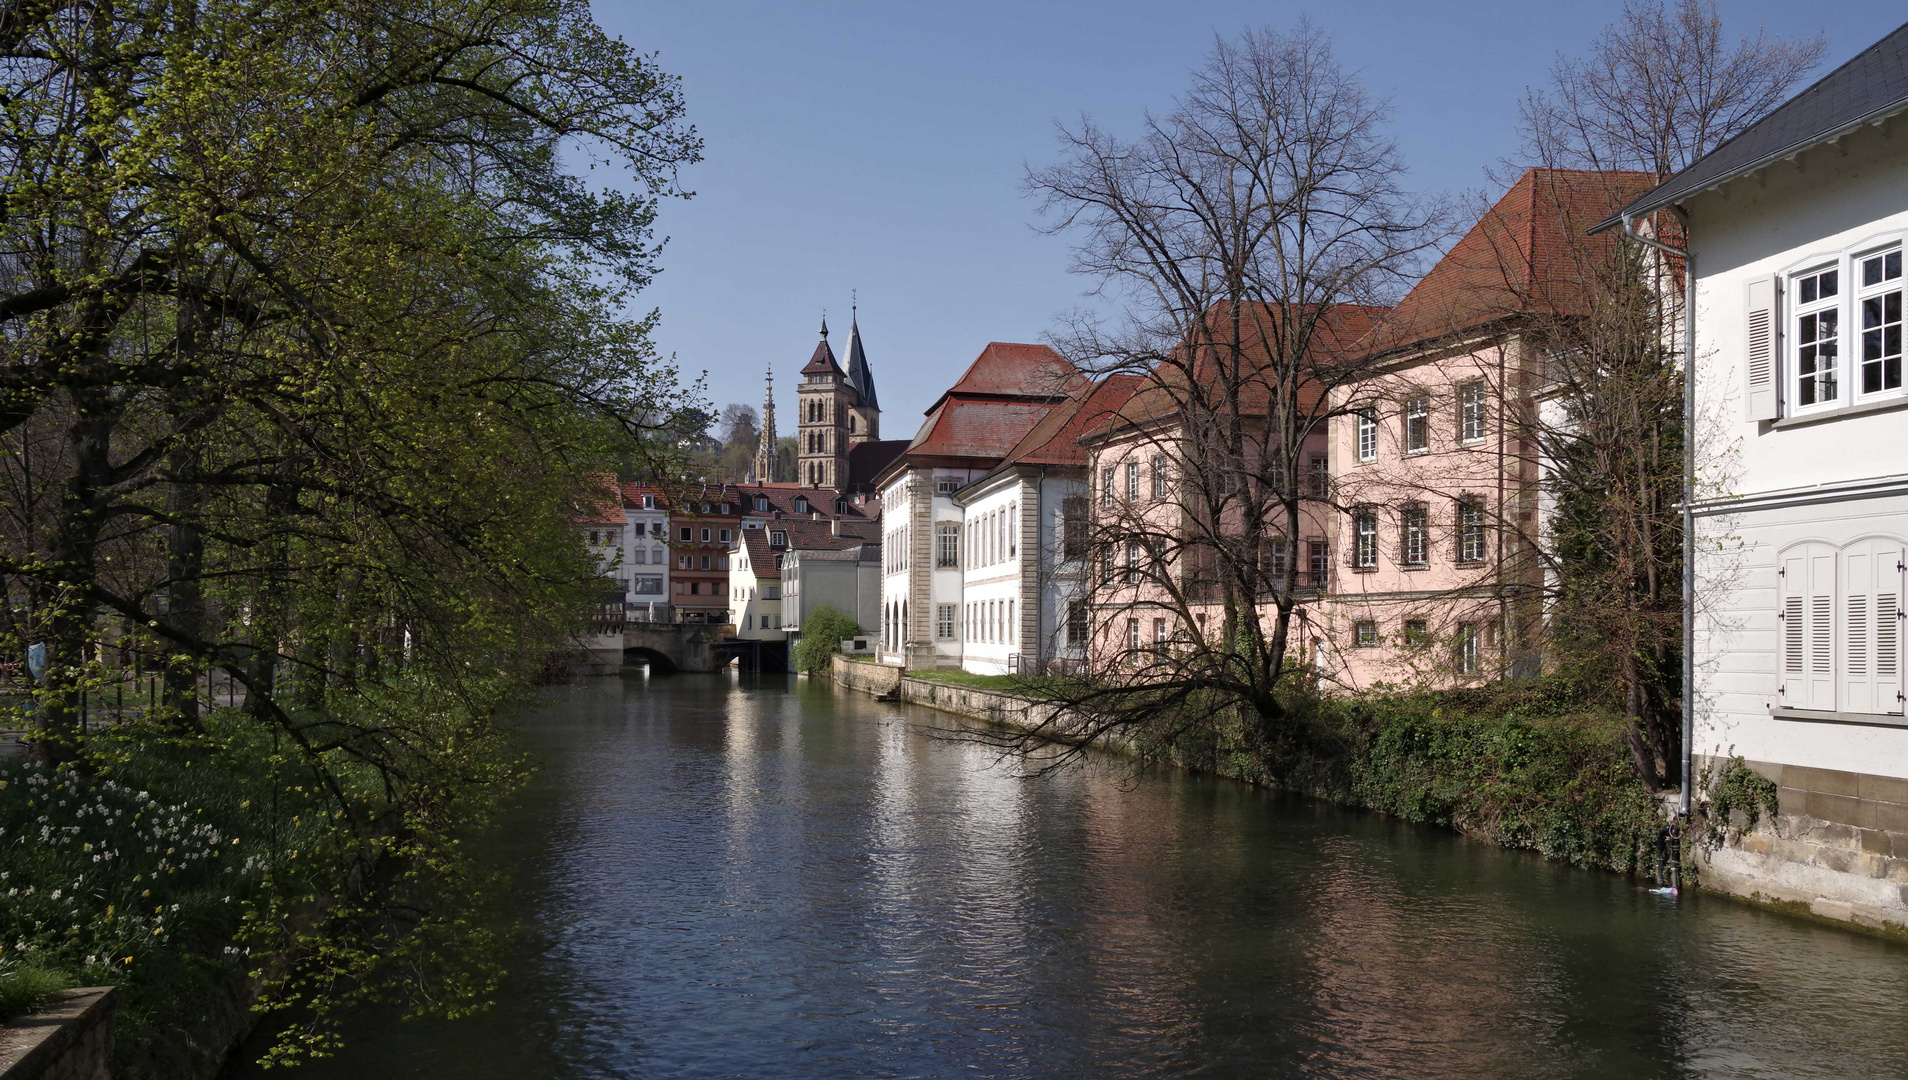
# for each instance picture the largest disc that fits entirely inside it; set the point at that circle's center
(310, 348)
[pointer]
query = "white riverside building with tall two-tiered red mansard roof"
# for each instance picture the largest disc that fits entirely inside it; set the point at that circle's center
(970, 428)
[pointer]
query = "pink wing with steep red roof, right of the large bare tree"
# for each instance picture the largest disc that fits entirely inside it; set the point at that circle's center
(1440, 474)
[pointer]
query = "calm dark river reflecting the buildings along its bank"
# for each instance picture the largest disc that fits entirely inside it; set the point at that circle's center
(736, 877)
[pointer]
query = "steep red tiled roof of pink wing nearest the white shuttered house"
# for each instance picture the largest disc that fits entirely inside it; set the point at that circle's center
(1522, 257)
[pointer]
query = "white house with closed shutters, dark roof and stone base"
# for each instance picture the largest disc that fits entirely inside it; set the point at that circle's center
(1802, 489)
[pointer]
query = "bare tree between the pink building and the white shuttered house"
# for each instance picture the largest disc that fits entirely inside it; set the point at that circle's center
(1657, 91)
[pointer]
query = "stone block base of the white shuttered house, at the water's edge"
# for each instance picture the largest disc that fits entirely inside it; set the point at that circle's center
(1838, 846)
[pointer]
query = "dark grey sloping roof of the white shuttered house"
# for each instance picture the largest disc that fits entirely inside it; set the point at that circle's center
(1867, 91)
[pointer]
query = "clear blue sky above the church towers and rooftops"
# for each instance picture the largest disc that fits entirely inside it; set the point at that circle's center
(879, 148)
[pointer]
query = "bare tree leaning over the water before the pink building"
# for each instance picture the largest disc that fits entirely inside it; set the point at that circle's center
(1249, 239)
